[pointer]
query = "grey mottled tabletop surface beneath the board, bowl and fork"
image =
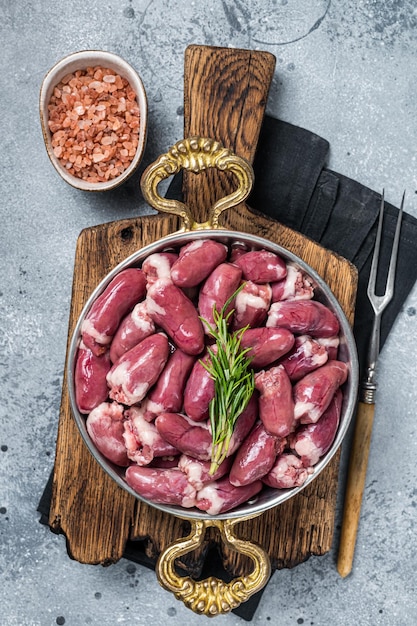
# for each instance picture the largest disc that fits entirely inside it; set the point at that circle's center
(345, 70)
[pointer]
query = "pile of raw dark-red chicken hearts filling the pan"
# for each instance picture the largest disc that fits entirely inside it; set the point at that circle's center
(141, 382)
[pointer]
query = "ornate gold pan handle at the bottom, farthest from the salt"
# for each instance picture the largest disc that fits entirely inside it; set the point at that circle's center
(212, 596)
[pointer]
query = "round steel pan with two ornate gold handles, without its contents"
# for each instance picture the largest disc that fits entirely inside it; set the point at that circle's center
(213, 596)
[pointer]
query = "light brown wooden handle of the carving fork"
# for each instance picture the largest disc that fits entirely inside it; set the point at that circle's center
(358, 463)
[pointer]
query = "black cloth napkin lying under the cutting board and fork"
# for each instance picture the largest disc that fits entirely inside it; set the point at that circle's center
(294, 187)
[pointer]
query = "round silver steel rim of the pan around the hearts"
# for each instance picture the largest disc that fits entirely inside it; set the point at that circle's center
(268, 498)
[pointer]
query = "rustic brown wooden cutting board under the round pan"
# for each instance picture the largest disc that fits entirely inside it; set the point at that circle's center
(225, 96)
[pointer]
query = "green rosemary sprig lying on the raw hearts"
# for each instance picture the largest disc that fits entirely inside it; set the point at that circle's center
(233, 381)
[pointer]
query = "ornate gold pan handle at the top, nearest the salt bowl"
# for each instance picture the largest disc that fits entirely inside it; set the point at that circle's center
(195, 155)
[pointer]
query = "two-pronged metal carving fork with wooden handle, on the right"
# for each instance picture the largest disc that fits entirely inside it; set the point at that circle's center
(359, 453)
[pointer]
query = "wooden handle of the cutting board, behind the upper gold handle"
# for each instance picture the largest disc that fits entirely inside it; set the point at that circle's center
(225, 95)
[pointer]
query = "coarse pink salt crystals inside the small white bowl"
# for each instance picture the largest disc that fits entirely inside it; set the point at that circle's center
(94, 120)
